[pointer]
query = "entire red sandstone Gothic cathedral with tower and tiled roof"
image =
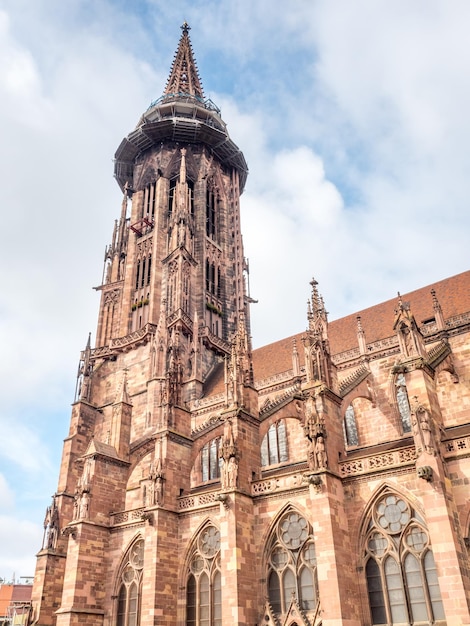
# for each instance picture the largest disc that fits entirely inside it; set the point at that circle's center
(322, 479)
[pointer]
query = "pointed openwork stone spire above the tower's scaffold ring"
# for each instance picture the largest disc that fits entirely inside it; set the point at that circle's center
(184, 75)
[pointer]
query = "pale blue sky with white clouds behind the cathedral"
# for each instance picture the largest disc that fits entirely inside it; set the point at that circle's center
(353, 118)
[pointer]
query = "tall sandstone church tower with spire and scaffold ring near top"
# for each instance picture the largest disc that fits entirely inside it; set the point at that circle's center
(174, 311)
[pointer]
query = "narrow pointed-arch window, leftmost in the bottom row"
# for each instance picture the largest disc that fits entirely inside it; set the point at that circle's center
(129, 591)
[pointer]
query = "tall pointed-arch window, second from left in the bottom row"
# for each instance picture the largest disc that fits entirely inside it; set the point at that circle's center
(204, 581)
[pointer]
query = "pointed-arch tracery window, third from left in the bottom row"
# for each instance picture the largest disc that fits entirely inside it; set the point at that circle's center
(292, 564)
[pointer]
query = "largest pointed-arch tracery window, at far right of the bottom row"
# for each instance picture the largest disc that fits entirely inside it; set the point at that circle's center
(401, 574)
